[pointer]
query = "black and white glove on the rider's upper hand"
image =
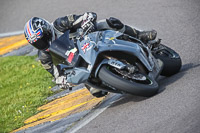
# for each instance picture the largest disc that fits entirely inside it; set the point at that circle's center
(88, 24)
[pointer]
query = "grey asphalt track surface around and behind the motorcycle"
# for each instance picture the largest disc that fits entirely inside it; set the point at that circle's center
(176, 109)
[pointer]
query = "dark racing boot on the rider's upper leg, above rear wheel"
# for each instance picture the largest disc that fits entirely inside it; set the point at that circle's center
(146, 36)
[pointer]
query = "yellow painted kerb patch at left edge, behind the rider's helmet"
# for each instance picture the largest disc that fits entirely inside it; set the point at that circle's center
(8, 44)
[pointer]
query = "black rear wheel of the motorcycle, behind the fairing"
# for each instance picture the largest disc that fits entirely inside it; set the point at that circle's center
(171, 60)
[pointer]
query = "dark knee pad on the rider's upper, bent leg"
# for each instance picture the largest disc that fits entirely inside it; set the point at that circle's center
(115, 23)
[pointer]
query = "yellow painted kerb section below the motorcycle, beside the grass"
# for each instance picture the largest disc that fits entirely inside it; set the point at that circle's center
(76, 102)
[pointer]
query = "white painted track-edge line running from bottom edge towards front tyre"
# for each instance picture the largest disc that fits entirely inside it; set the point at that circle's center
(113, 98)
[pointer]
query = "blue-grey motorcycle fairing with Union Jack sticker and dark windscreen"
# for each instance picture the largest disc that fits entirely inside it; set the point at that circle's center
(90, 47)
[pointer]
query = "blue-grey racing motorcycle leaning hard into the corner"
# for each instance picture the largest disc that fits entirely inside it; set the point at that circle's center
(114, 62)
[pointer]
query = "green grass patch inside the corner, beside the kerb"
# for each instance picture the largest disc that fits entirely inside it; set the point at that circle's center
(24, 85)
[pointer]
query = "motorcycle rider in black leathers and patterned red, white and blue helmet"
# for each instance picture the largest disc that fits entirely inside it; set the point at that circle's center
(40, 34)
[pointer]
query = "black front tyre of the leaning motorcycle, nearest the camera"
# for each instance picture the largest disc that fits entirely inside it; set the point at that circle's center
(149, 87)
